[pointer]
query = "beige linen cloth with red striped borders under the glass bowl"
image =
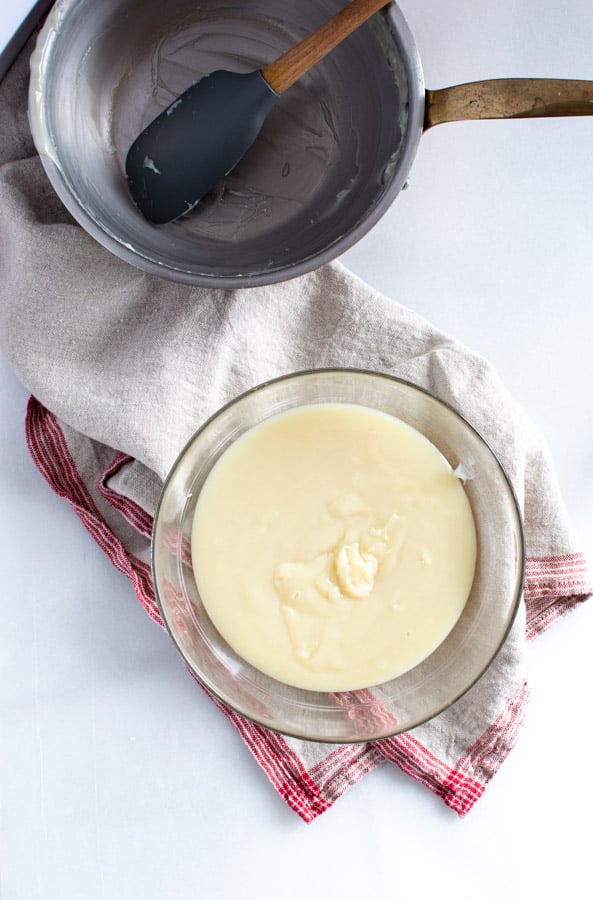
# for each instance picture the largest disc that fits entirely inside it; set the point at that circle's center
(123, 367)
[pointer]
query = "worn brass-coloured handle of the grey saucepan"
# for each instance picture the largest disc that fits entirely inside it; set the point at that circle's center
(509, 98)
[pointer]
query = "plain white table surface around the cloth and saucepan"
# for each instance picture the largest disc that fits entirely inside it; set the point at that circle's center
(118, 778)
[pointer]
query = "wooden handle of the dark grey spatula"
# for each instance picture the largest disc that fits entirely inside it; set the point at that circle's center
(289, 67)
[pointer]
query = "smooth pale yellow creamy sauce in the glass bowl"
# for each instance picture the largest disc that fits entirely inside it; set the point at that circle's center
(333, 546)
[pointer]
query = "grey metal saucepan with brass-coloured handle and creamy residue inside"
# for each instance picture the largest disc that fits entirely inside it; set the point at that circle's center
(331, 158)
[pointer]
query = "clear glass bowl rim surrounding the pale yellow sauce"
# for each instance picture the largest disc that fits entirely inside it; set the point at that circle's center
(419, 694)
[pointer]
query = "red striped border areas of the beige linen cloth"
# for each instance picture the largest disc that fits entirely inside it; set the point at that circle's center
(553, 586)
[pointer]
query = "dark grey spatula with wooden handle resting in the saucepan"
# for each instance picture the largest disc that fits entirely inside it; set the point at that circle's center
(201, 136)
